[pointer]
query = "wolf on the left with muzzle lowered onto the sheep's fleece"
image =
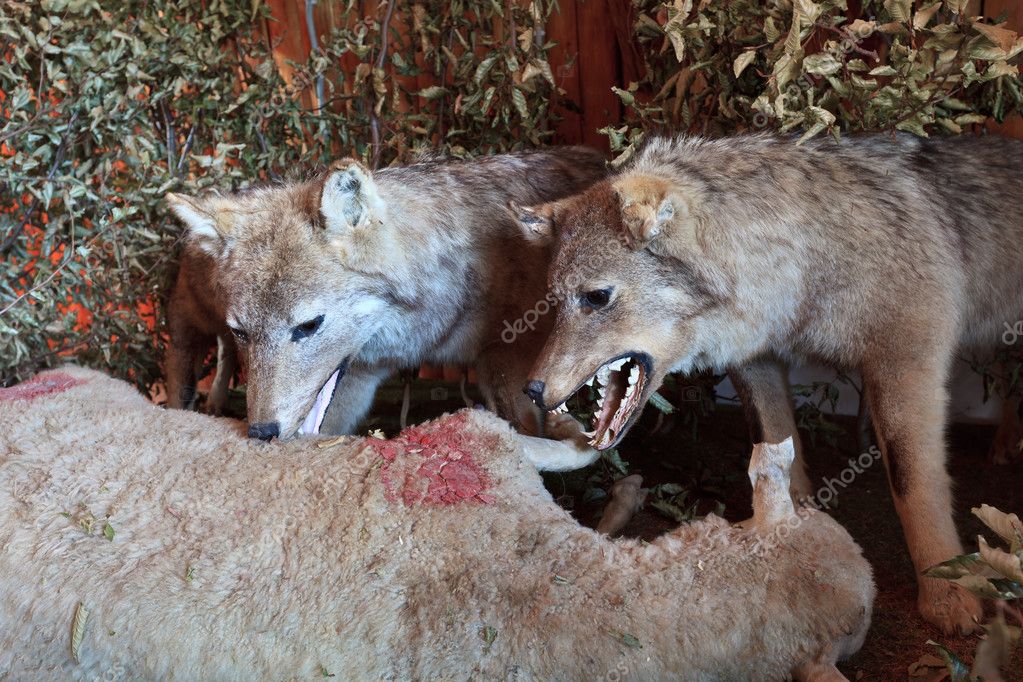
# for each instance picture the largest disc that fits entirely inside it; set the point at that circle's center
(330, 285)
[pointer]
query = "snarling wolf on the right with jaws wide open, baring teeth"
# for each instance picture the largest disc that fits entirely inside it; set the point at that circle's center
(884, 254)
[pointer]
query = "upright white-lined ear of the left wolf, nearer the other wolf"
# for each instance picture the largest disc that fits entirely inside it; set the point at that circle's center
(350, 199)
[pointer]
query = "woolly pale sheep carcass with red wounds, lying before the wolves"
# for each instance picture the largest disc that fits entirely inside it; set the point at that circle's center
(200, 555)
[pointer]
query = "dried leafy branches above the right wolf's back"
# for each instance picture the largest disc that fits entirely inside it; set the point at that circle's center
(717, 68)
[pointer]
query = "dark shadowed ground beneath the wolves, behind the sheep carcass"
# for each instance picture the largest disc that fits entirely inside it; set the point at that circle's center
(708, 459)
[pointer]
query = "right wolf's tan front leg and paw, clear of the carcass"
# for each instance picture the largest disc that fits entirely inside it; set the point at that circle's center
(908, 398)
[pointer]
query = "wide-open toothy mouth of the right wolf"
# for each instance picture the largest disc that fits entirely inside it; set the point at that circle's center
(620, 384)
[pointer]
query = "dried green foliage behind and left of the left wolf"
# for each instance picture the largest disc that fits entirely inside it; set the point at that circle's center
(107, 107)
